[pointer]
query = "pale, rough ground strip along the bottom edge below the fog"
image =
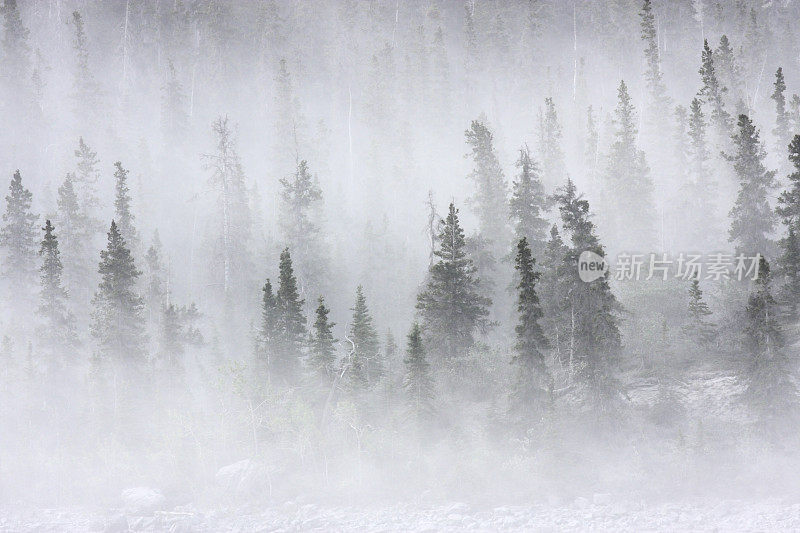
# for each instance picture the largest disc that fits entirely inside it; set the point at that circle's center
(599, 514)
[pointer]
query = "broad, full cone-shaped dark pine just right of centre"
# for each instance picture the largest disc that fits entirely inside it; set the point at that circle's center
(451, 307)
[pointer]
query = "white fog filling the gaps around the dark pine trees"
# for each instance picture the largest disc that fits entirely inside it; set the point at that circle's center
(379, 113)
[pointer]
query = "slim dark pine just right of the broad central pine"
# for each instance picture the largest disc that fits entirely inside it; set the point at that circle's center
(533, 379)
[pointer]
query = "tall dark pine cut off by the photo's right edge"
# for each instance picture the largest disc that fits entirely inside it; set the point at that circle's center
(789, 210)
